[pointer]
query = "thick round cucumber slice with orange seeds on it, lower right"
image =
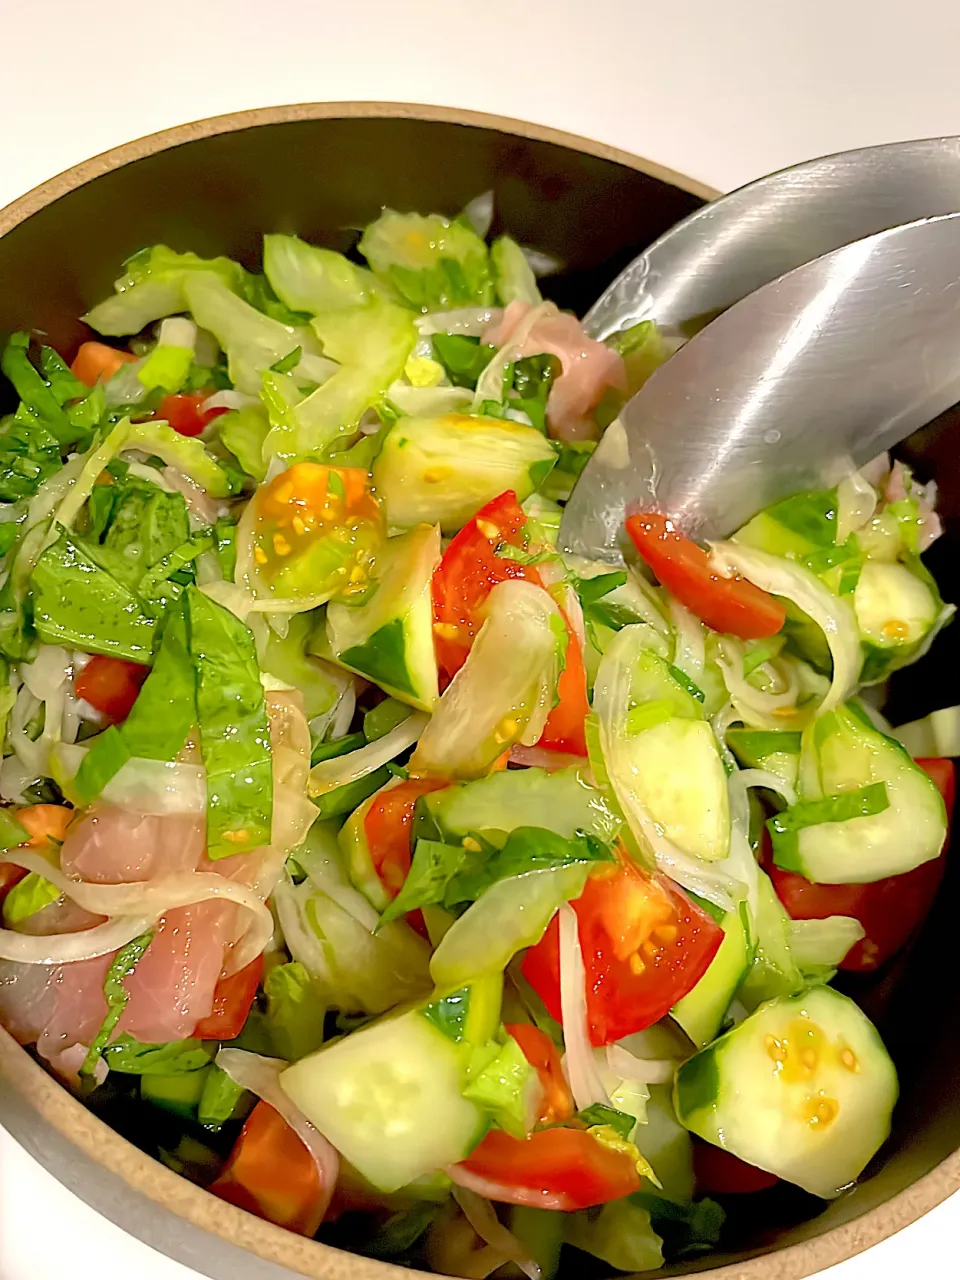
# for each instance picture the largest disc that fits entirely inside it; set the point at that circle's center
(803, 1089)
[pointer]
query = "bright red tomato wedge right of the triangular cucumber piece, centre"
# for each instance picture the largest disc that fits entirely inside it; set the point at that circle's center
(469, 572)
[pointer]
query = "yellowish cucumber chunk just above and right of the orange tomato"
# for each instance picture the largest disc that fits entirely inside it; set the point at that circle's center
(444, 470)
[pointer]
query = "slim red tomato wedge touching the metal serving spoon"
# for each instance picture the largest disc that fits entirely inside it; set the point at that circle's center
(729, 605)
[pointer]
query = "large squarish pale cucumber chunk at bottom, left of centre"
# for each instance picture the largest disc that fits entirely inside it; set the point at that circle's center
(388, 1098)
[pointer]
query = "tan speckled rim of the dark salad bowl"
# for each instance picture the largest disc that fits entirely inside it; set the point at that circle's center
(145, 1178)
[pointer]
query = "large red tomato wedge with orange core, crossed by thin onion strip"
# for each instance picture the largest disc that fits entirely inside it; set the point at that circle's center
(646, 945)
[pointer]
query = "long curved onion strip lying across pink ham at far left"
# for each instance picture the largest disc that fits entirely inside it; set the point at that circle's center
(153, 899)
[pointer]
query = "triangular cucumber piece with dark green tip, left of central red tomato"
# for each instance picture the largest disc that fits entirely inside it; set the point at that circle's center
(390, 639)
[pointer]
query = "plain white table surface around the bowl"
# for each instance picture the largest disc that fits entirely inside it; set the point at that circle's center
(724, 90)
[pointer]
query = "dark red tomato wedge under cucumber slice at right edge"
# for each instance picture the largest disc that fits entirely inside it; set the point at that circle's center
(889, 909)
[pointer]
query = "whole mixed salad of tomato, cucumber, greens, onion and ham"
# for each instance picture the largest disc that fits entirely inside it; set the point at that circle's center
(381, 868)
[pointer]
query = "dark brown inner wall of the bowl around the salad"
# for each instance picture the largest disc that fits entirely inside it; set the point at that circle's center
(324, 179)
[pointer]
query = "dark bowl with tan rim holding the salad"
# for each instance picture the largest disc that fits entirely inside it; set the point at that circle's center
(324, 171)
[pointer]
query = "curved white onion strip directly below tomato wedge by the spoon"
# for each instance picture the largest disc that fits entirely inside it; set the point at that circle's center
(833, 615)
